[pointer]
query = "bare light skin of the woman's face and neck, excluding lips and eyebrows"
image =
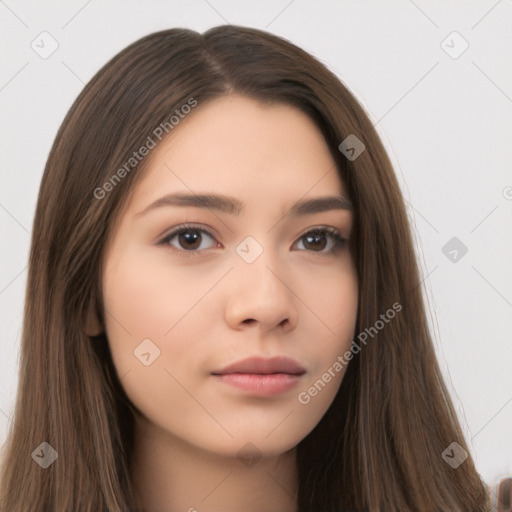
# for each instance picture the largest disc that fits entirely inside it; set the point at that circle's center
(212, 308)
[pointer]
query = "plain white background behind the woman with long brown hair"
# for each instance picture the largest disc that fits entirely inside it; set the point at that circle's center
(445, 121)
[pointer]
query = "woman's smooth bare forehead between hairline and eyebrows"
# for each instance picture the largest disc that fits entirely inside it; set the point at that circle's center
(238, 145)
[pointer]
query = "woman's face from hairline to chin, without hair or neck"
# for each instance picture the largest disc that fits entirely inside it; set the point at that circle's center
(256, 276)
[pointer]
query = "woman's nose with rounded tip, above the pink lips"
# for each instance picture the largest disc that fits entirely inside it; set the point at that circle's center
(261, 294)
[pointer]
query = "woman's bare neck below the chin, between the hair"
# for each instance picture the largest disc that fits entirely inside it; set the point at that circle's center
(172, 475)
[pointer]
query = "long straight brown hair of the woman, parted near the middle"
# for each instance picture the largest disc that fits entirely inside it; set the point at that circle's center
(379, 446)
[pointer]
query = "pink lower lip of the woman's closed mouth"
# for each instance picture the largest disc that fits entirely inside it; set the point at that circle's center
(263, 385)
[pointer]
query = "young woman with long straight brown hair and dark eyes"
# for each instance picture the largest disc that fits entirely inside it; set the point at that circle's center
(224, 309)
